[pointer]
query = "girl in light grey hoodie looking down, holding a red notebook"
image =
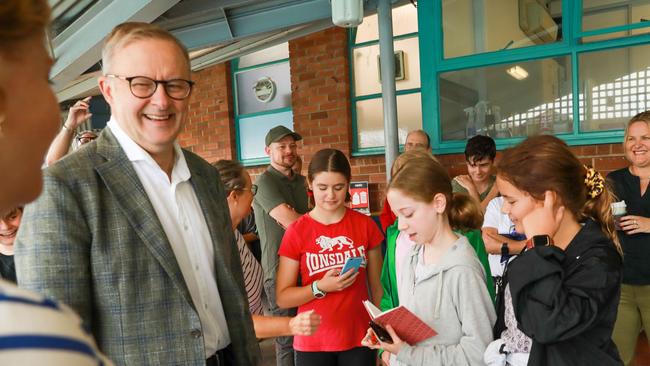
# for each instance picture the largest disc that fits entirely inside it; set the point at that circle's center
(442, 281)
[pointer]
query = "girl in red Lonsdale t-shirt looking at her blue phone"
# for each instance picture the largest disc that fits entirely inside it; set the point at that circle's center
(315, 248)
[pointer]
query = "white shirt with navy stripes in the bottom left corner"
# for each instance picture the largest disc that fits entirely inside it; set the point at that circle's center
(39, 331)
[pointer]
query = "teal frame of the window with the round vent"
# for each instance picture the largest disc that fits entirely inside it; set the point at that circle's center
(234, 70)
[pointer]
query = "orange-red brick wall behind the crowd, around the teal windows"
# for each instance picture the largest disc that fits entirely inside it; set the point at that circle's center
(321, 105)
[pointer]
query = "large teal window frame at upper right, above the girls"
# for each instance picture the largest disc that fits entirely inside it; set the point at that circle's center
(432, 64)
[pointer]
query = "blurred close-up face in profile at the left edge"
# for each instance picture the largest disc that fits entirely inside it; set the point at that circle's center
(31, 119)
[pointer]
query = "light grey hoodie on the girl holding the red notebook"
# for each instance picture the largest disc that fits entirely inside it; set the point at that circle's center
(451, 297)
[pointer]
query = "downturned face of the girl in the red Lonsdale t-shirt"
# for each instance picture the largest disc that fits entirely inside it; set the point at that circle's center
(330, 190)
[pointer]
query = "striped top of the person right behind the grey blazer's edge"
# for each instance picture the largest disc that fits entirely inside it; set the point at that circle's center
(253, 275)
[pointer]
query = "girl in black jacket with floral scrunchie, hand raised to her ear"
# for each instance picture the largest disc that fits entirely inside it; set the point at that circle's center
(563, 291)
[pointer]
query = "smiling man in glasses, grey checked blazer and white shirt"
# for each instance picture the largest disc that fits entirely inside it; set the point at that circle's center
(133, 232)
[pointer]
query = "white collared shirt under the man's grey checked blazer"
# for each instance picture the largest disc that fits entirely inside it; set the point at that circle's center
(179, 212)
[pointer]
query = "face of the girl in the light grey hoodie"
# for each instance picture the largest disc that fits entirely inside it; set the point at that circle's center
(419, 220)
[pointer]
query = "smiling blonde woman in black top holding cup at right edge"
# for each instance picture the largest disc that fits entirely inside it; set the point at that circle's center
(630, 184)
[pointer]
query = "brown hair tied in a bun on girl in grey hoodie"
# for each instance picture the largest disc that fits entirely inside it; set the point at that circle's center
(422, 177)
